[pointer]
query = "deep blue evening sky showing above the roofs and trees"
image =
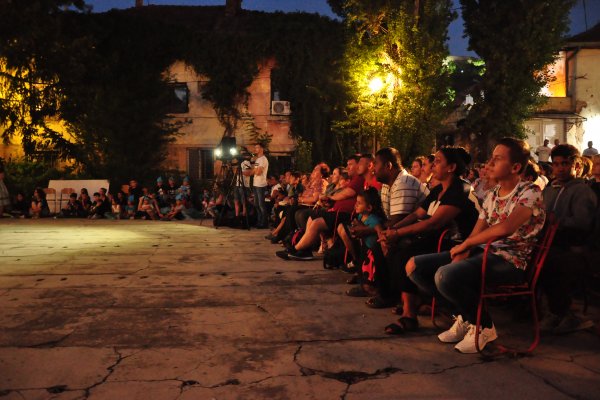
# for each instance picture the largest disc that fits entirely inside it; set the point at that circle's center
(458, 45)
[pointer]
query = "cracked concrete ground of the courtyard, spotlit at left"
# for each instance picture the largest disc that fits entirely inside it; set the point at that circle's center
(166, 310)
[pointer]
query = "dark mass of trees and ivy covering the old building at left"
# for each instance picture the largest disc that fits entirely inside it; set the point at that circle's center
(104, 76)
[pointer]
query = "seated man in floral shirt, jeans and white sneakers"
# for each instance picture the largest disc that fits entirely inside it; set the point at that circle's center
(512, 216)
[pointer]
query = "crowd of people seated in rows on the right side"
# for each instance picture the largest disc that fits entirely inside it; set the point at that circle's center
(382, 224)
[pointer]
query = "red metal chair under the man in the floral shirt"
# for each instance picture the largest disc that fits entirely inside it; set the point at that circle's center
(527, 288)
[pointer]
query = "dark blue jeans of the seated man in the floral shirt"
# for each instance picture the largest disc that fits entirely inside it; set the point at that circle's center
(459, 283)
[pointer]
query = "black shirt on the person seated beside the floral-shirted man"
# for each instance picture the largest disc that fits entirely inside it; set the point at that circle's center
(459, 195)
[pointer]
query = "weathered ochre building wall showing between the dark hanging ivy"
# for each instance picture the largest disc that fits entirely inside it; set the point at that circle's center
(201, 133)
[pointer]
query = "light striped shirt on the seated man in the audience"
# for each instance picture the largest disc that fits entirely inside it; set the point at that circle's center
(405, 195)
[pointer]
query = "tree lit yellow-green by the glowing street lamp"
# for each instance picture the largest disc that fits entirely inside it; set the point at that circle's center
(405, 48)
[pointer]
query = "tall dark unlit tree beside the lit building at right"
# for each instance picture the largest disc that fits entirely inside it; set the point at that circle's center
(516, 40)
